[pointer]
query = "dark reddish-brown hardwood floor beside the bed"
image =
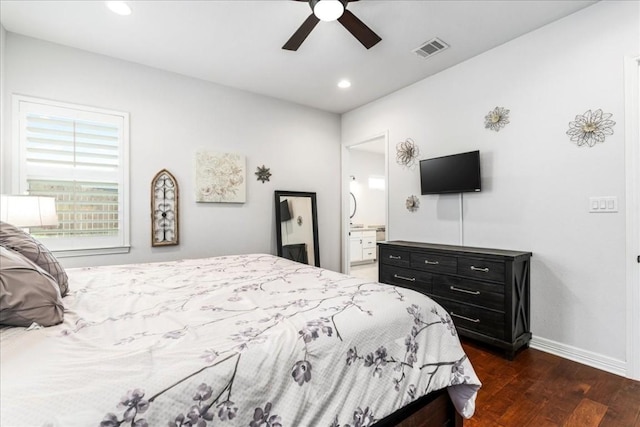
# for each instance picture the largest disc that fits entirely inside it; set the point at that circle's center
(538, 389)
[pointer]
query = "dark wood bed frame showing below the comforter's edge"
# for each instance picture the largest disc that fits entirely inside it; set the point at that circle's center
(432, 410)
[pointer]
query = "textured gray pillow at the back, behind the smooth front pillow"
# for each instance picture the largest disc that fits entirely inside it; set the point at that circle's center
(16, 239)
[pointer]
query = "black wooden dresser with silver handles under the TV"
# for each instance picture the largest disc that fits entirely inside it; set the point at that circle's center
(485, 291)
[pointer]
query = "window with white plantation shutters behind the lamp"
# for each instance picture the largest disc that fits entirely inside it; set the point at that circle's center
(79, 155)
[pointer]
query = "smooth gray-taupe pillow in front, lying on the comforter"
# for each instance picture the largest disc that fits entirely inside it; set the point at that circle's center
(27, 293)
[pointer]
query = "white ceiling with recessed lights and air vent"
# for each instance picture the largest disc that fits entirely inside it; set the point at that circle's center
(238, 43)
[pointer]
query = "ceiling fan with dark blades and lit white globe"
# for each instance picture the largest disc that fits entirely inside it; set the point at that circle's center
(330, 10)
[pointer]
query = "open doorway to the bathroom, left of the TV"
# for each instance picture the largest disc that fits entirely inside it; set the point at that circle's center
(366, 174)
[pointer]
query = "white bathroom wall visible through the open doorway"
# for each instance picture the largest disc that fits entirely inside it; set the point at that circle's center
(370, 202)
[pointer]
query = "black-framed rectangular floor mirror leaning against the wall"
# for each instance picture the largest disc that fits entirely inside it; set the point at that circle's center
(297, 226)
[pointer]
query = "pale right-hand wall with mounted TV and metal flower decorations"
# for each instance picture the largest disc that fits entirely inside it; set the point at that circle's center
(536, 183)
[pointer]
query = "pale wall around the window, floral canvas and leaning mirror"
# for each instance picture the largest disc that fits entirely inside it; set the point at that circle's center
(171, 117)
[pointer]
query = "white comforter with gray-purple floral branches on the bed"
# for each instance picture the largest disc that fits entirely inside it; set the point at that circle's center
(247, 340)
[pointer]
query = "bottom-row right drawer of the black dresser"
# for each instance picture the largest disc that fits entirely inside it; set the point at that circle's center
(475, 319)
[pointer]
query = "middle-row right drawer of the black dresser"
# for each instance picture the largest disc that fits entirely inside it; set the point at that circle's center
(482, 294)
